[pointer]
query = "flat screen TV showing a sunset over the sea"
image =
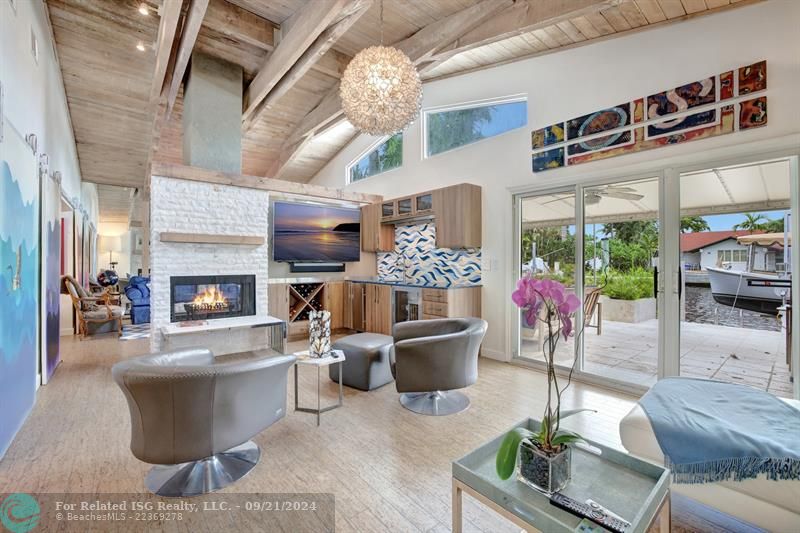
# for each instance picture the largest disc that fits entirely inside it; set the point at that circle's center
(315, 233)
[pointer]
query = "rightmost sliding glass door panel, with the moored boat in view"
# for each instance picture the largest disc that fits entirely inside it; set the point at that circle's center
(735, 260)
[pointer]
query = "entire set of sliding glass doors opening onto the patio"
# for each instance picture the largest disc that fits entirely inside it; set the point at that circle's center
(682, 272)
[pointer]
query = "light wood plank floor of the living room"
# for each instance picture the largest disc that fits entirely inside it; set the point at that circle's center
(388, 468)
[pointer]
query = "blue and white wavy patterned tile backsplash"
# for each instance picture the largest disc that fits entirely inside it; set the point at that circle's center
(415, 253)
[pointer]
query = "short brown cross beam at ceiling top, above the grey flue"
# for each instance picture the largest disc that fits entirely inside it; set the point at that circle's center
(239, 24)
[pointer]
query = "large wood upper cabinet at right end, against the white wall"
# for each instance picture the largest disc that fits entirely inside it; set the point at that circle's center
(458, 216)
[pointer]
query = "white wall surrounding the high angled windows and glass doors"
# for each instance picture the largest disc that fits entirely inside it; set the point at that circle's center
(567, 84)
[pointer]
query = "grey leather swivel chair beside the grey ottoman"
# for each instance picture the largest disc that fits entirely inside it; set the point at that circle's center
(431, 358)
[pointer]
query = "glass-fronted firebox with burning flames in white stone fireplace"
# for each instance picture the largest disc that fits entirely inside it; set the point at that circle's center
(211, 297)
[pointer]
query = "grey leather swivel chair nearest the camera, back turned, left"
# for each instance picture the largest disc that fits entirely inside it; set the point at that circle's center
(193, 415)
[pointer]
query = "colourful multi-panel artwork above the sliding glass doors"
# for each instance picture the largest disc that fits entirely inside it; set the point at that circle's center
(723, 103)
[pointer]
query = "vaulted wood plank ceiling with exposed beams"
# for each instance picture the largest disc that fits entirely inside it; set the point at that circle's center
(126, 104)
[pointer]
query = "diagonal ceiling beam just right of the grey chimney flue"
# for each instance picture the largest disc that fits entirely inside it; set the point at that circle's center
(310, 57)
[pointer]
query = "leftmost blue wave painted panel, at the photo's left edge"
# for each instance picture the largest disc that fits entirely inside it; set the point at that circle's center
(19, 284)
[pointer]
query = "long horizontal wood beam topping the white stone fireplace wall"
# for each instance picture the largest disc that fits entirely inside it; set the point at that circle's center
(257, 182)
